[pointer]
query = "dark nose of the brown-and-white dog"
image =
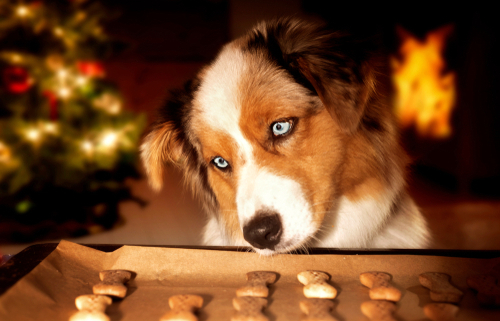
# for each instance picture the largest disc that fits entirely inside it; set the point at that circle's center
(264, 231)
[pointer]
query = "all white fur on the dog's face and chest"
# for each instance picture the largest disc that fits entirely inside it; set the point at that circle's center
(366, 223)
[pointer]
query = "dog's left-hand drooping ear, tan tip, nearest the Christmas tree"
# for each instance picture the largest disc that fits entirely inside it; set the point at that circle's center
(166, 141)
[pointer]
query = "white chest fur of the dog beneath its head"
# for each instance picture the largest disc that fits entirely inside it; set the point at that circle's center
(364, 224)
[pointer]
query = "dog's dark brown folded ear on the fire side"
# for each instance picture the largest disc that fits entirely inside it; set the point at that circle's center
(335, 65)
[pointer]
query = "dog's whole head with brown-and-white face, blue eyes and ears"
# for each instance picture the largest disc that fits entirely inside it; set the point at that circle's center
(263, 132)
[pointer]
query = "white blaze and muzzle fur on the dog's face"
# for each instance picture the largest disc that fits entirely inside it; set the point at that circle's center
(220, 108)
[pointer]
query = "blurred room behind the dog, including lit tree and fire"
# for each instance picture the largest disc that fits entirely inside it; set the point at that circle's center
(81, 79)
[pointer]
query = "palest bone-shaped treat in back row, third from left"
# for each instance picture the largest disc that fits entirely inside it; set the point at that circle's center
(315, 285)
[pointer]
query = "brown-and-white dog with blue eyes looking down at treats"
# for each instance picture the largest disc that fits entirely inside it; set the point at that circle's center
(288, 140)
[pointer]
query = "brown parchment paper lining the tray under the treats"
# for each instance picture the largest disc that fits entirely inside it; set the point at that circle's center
(48, 292)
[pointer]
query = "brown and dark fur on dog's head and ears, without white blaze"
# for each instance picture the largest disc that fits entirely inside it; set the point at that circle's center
(344, 139)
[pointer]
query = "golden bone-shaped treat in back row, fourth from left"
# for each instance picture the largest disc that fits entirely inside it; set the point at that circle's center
(380, 289)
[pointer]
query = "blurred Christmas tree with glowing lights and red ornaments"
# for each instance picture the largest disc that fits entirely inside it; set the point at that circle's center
(66, 144)
